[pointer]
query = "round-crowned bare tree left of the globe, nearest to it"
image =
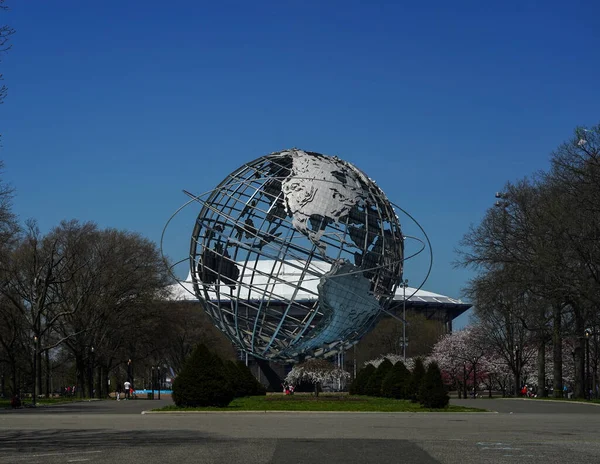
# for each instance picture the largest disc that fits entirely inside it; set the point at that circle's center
(110, 301)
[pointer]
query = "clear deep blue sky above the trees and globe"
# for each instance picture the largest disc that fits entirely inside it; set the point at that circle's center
(114, 107)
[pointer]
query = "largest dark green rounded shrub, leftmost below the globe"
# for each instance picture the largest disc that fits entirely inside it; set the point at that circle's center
(203, 381)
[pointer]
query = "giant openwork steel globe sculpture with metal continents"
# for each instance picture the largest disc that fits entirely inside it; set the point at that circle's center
(295, 254)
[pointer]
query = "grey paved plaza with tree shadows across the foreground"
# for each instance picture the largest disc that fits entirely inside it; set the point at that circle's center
(102, 432)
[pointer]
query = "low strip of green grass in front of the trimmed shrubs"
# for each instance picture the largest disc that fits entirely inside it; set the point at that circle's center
(300, 402)
